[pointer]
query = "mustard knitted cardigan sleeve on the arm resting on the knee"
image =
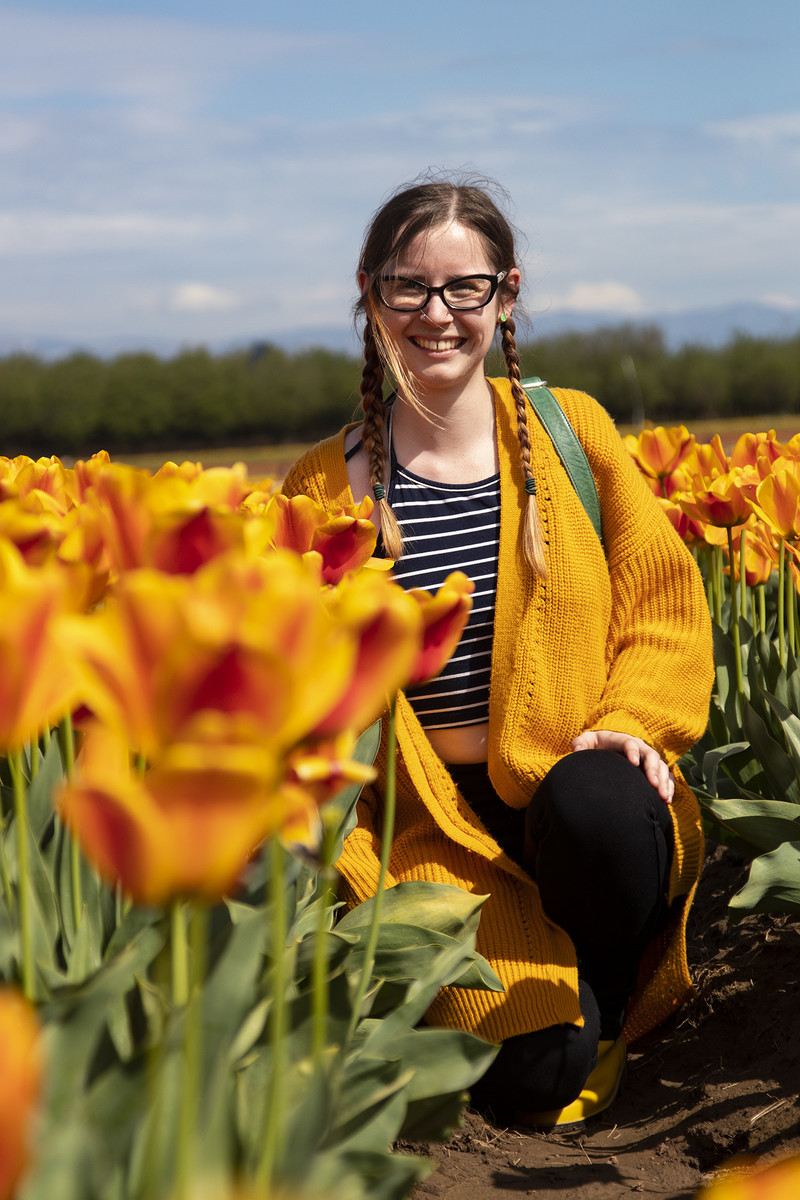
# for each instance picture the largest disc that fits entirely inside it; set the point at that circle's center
(660, 653)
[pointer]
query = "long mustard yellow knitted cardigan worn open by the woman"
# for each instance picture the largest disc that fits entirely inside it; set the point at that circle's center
(617, 640)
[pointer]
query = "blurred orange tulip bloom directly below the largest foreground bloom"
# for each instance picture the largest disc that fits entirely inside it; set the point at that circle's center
(188, 826)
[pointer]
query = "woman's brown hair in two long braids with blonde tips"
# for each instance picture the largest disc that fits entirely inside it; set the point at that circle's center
(408, 213)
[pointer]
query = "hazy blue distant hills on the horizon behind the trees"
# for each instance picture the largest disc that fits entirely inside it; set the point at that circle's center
(706, 327)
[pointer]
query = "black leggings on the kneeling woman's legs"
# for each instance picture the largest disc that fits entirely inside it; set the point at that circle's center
(598, 839)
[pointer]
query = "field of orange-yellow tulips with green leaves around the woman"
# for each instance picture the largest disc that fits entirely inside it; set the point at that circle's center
(195, 676)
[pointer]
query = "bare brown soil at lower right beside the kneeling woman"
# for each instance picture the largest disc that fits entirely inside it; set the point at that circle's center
(719, 1082)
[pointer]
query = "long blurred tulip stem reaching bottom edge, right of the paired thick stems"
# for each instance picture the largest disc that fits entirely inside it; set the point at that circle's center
(275, 1101)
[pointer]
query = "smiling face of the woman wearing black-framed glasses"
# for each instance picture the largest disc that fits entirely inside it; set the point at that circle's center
(443, 349)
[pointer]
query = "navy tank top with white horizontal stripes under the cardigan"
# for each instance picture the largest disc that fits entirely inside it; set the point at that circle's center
(452, 527)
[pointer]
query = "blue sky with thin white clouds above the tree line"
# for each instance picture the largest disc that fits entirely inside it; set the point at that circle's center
(197, 172)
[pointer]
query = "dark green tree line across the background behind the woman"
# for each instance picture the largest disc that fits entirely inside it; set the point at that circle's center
(140, 403)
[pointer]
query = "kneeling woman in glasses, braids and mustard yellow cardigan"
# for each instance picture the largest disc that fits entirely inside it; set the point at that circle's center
(540, 769)
